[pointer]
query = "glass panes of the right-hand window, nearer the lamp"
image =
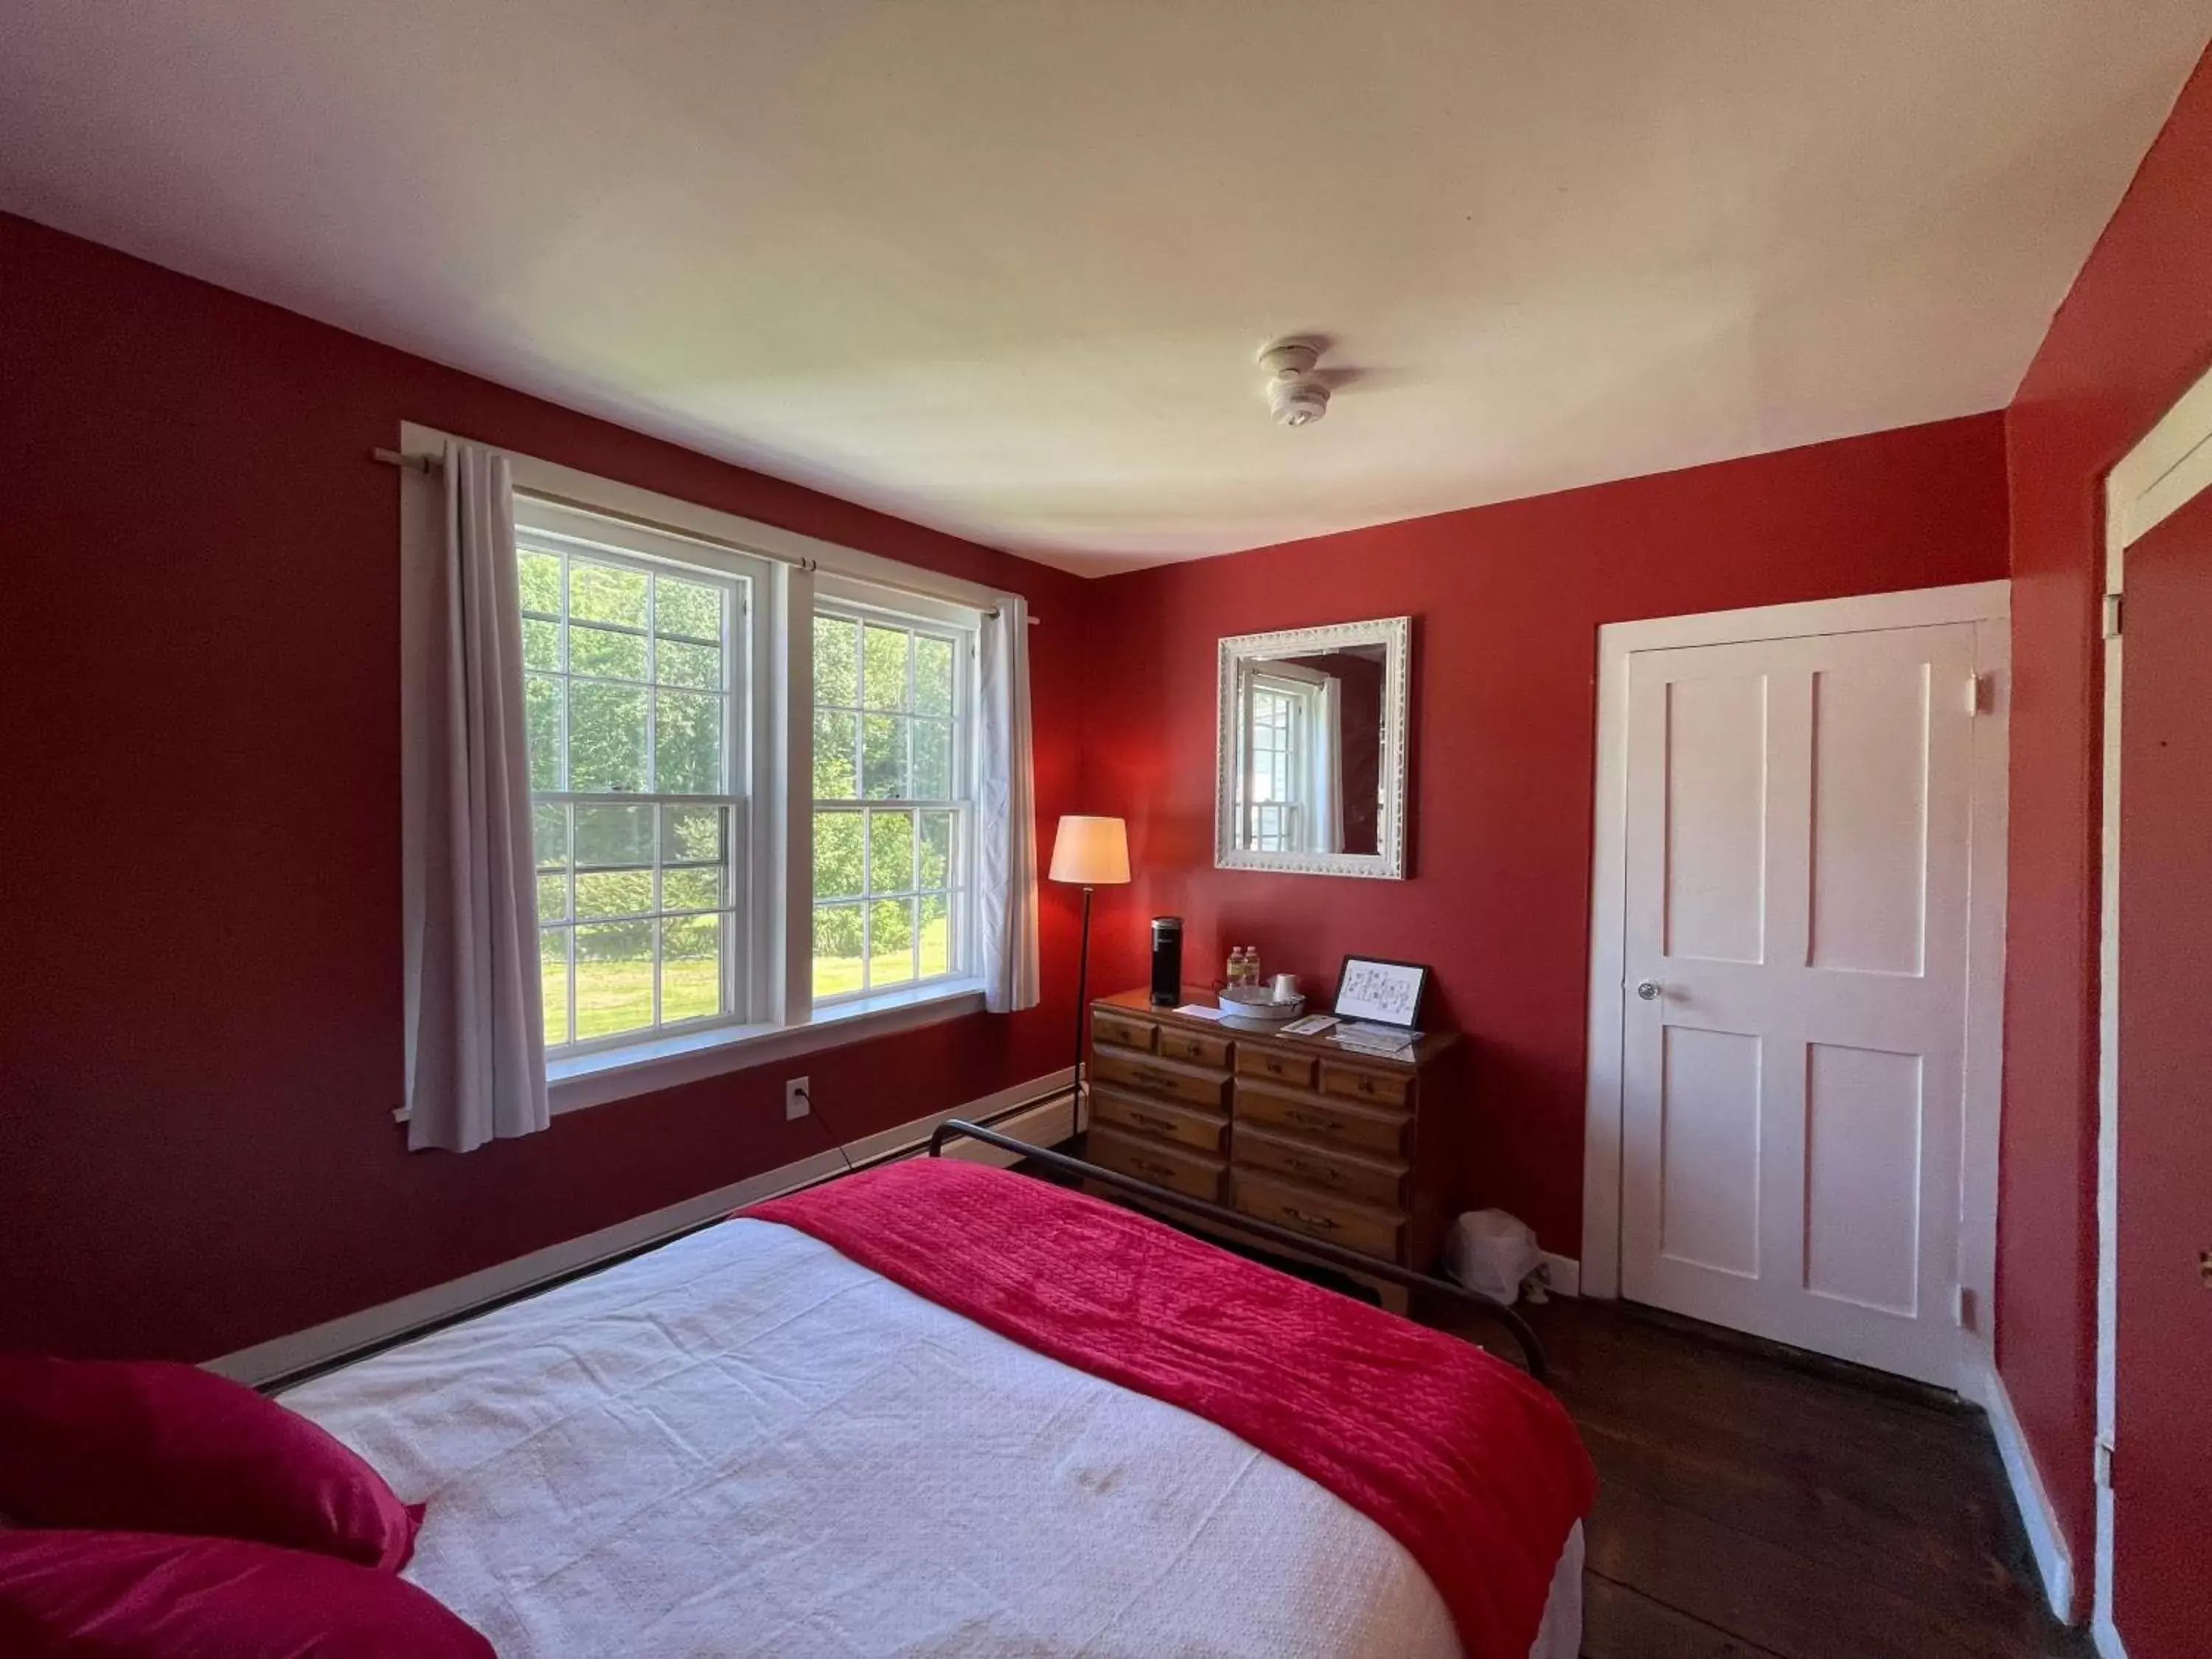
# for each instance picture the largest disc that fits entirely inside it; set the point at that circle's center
(893, 800)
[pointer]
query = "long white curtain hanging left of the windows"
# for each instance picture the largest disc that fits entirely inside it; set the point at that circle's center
(474, 1021)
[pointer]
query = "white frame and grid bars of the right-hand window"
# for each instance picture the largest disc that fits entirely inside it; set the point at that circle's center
(919, 618)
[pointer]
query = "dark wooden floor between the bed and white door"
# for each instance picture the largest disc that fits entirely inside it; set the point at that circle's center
(1753, 1507)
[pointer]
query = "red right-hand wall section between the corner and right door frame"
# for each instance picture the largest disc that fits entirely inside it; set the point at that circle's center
(2131, 337)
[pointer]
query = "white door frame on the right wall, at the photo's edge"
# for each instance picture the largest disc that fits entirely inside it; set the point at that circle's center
(2162, 474)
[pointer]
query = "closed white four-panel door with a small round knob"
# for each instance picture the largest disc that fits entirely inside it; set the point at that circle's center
(1795, 992)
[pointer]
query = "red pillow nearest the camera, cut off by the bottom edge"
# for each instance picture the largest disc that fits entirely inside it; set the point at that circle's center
(121, 1596)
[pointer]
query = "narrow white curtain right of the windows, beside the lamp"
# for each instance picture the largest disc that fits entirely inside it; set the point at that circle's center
(1008, 817)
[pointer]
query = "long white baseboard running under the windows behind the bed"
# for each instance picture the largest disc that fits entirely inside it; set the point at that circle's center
(1043, 1125)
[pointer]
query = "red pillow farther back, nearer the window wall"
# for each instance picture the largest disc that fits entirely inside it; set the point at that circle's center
(160, 1448)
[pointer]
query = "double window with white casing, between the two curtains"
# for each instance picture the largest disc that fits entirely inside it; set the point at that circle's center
(753, 780)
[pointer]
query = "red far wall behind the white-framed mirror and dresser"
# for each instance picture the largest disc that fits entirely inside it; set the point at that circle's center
(1507, 603)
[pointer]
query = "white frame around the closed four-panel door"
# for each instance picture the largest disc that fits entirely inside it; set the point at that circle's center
(1987, 607)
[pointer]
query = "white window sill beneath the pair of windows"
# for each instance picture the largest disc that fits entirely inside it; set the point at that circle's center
(667, 1063)
